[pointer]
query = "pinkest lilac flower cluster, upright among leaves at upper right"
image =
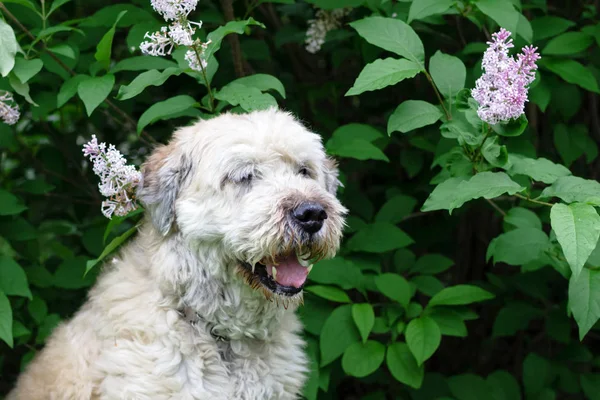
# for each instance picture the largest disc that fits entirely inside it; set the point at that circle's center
(502, 89)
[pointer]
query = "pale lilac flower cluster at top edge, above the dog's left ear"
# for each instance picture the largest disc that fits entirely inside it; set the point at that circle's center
(179, 33)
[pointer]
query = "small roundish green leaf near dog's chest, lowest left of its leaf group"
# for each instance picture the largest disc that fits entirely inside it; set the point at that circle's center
(362, 359)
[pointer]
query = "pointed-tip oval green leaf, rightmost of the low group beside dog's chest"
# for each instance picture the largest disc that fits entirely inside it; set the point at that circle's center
(423, 337)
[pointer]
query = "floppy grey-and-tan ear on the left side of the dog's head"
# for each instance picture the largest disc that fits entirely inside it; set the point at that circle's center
(162, 176)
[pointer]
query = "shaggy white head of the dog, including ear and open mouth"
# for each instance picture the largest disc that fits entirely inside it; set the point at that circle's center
(256, 189)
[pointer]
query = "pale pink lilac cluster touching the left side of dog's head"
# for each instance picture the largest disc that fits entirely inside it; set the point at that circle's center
(117, 180)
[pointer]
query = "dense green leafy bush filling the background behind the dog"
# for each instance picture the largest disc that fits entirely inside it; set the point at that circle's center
(396, 314)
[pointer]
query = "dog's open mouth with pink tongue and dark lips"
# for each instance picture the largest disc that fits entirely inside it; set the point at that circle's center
(284, 275)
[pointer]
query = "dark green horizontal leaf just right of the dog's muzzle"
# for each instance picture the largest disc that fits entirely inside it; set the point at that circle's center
(379, 237)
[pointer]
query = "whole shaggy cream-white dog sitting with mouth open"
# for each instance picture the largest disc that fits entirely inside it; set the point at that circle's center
(201, 304)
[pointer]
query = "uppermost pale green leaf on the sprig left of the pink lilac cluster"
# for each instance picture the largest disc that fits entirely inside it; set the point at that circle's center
(392, 35)
